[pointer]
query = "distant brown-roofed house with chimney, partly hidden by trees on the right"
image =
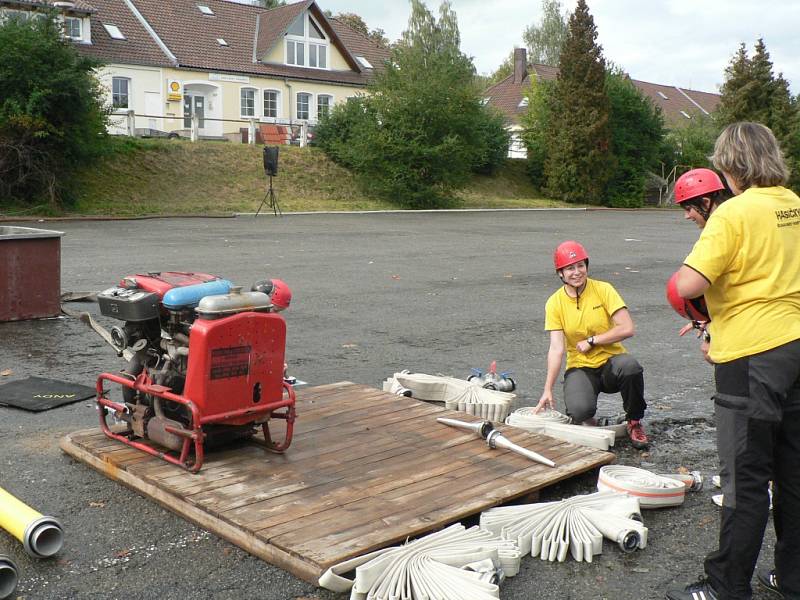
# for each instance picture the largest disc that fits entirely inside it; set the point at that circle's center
(678, 105)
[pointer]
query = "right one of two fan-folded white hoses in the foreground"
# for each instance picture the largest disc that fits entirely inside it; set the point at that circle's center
(576, 525)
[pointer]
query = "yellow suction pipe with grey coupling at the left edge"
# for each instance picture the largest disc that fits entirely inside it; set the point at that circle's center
(40, 535)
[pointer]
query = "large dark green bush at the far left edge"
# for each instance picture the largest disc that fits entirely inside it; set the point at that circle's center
(52, 117)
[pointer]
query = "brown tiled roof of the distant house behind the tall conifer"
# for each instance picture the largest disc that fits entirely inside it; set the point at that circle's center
(506, 96)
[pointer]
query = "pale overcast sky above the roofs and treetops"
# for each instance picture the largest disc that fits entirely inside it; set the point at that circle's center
(674, 42)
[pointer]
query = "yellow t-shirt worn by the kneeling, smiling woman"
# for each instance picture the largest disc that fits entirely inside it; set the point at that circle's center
(580, 318)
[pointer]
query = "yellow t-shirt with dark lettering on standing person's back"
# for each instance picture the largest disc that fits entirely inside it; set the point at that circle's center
(750, 253)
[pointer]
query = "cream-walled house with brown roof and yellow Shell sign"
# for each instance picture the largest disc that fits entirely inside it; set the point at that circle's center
(217, 61)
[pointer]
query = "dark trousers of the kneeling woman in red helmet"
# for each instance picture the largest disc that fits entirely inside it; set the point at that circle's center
(621, 373)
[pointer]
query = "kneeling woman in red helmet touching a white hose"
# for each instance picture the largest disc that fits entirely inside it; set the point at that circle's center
(589, 318)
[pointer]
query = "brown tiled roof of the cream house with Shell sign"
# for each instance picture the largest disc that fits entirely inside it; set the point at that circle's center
(249, 31)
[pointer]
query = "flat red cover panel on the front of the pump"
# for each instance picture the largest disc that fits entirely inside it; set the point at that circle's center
(236, 363)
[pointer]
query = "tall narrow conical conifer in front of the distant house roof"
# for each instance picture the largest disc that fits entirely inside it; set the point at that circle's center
(579, 163)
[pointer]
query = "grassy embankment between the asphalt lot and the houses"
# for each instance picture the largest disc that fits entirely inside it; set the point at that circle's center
(162, 177)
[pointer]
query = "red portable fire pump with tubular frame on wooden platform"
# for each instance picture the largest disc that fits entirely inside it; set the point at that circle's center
(205, 366)
